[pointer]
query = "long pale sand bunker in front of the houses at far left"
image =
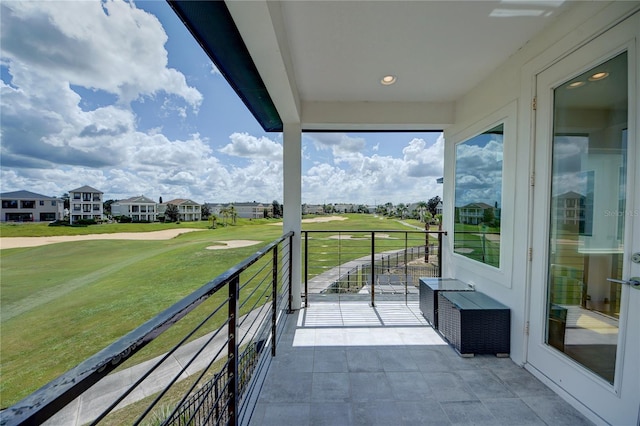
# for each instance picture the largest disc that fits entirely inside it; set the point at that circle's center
(167, 234)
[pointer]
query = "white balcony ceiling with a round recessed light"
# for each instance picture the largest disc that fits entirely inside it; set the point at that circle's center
(321, 62)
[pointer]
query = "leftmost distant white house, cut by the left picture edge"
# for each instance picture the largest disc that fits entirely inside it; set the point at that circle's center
(25, 206)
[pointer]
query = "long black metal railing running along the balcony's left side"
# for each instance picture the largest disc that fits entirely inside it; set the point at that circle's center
(218, 378)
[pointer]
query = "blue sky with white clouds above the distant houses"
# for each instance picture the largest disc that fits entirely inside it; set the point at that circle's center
(119, 96)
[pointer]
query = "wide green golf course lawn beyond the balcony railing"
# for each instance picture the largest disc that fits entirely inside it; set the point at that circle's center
(62, 303)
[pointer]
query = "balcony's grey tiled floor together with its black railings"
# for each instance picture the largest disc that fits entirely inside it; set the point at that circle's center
(358, 352)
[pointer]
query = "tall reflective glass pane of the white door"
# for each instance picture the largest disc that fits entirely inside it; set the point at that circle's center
(587, 216)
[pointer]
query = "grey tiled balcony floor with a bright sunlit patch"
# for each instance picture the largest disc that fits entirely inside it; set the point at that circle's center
(342, 362)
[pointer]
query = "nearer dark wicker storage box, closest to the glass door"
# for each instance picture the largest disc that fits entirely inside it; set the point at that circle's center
(474, 323)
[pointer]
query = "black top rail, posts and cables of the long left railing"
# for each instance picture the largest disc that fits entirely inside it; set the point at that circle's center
(54, 396)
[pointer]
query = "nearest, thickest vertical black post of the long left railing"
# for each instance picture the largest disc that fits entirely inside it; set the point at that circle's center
(232, 350)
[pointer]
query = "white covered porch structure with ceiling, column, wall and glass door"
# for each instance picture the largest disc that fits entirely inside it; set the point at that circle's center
(549, 90)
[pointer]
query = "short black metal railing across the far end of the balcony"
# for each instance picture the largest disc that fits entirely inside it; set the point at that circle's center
(369, 262)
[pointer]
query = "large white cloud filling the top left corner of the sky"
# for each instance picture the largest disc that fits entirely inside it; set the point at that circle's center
(110, 46)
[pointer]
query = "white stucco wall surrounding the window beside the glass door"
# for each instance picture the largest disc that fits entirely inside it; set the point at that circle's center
(509, 93)
